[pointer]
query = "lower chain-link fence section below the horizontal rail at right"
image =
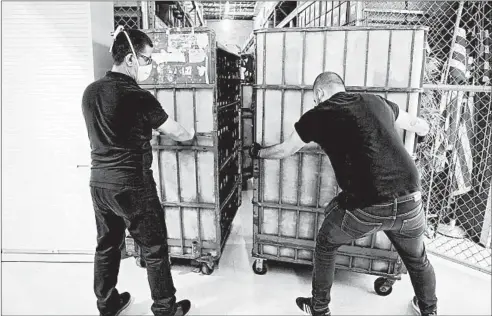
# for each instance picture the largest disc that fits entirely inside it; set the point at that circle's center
(455, 162)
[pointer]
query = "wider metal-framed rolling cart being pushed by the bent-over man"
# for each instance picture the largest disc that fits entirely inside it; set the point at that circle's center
(290, 194)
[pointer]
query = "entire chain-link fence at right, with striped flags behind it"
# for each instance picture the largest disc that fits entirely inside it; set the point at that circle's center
(456, 158)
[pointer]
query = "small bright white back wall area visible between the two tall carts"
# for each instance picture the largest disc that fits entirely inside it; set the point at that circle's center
(231, 32)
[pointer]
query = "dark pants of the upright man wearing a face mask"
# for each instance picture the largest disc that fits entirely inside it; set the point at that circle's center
(140, 211)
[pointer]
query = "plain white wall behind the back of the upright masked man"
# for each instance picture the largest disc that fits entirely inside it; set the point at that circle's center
(48, 60)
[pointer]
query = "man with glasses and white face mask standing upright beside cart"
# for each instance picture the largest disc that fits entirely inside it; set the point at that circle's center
(120, 117)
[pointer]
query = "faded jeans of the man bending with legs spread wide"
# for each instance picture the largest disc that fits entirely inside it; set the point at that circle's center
(403, 221)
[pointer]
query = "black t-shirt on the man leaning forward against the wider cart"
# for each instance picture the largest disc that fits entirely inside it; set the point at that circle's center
(358, 134)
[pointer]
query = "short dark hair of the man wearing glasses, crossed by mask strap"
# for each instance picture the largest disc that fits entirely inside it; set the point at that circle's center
(121, 47)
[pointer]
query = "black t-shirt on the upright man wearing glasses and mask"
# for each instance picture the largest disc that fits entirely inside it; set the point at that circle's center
(120, 116)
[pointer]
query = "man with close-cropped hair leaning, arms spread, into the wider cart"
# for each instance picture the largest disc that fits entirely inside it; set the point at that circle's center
(379, 181)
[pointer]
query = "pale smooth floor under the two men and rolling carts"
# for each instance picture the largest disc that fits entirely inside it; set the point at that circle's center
(233, 289)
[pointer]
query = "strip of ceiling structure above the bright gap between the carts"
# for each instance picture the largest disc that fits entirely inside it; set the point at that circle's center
(235, 10)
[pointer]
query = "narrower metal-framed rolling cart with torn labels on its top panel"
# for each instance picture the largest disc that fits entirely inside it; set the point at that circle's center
(199, 184)
